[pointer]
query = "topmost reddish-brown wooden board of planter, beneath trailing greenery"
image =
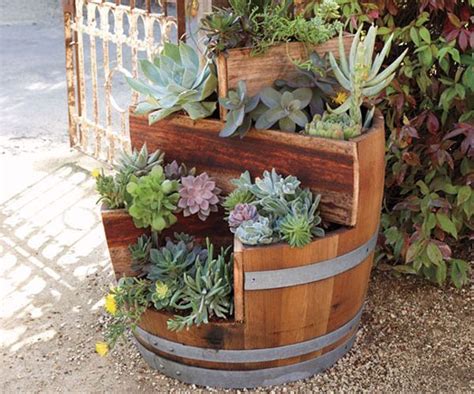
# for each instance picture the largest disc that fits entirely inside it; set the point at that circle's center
(263, 70)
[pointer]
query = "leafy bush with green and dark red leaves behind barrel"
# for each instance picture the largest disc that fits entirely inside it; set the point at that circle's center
(429, 202)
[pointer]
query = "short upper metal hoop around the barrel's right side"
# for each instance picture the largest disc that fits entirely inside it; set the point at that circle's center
(274, 279)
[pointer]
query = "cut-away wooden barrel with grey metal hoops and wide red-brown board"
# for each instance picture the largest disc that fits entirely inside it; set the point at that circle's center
(296, 310)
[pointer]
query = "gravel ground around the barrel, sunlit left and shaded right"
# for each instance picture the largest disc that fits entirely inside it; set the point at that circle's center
(55, 269)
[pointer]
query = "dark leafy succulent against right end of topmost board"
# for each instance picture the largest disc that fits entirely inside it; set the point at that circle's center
(313, 74)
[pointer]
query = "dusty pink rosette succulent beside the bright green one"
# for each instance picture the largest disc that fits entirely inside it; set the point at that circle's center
(198, 195)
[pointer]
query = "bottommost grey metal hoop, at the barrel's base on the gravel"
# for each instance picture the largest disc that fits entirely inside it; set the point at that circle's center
(245, 379)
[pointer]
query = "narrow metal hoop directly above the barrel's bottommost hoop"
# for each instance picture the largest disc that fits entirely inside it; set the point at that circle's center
(247, 355)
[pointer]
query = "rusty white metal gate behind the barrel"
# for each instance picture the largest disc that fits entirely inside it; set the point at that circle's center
(103, 40)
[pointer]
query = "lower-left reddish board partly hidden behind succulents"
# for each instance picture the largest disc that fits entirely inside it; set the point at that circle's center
(120, 232)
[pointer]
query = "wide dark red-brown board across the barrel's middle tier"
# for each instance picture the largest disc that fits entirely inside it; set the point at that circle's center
(325, 166)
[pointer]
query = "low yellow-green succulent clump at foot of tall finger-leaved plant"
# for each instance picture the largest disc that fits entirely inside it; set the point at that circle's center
(334, 126)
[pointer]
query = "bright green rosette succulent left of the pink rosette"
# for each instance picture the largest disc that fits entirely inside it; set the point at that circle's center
(154, 200)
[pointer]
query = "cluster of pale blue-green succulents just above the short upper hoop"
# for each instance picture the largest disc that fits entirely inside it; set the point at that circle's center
(279, 211)
